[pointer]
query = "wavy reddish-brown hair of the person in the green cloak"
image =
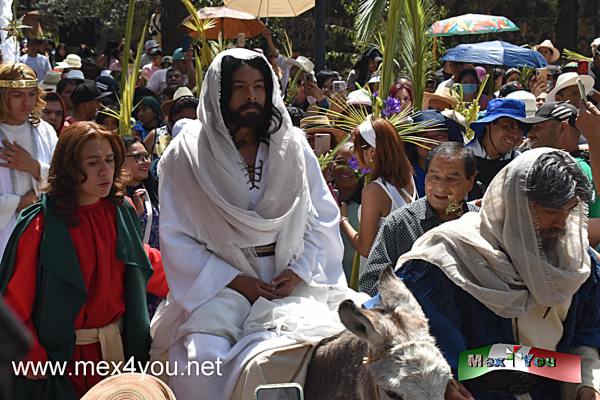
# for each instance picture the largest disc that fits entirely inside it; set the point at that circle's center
(66, 175)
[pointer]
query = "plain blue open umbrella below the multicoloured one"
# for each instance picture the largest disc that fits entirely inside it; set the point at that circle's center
(495, 53)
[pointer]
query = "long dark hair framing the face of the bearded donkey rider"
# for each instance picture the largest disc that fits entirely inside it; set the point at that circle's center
(273, 120)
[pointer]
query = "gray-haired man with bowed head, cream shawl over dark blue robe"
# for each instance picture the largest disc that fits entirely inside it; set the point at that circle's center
(520, 271)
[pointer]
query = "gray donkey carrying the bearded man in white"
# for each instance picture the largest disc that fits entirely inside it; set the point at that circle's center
(405, 362)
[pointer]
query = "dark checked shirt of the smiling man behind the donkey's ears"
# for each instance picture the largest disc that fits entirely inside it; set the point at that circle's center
(396, 236)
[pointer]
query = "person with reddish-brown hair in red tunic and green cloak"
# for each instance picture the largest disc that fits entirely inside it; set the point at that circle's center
(105, 277)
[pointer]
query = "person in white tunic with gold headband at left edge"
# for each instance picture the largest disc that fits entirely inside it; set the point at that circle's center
(27, 144)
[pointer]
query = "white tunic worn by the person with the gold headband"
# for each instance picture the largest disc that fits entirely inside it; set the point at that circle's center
(10, 192)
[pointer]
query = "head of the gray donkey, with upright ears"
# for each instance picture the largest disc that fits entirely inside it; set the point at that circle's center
(404, 360)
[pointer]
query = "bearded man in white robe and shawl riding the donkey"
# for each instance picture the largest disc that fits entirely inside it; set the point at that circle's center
(249, 232)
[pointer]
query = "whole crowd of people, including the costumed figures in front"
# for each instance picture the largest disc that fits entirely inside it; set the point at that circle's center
(228, 215)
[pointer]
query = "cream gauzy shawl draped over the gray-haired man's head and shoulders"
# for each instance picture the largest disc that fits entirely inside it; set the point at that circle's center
(496, 255)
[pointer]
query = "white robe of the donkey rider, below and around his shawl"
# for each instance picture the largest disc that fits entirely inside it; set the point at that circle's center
(202, 320)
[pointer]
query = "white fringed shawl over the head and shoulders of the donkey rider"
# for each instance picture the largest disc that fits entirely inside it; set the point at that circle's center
(221, 210)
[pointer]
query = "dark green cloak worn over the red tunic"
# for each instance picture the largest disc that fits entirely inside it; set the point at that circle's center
(60, 293)
